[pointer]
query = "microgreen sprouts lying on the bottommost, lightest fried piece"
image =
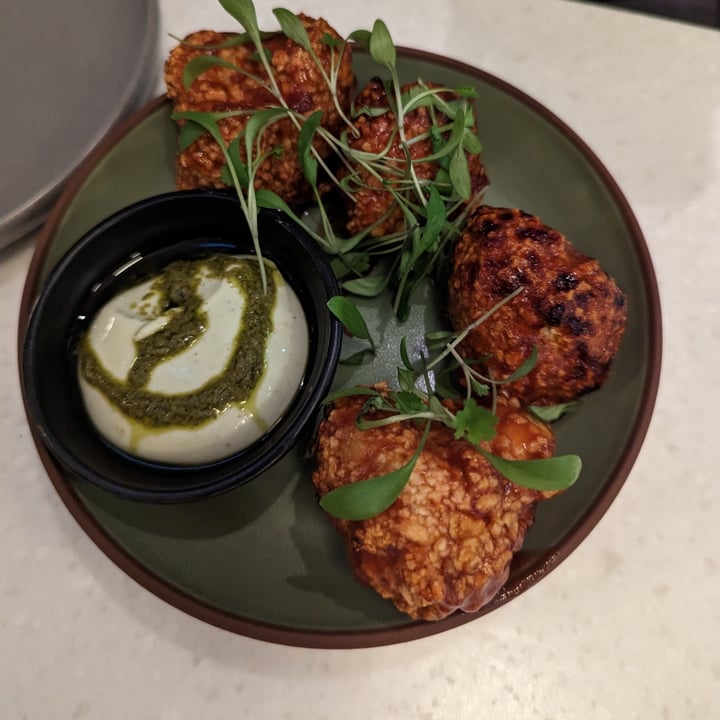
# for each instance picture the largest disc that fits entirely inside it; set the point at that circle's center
(417, 400)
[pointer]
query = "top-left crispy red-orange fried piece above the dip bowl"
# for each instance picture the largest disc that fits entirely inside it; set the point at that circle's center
(221, 89)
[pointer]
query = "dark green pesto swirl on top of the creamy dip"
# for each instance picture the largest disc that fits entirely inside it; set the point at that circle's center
(177, 285)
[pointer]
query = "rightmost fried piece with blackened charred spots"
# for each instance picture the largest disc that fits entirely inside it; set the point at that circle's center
(570, 309)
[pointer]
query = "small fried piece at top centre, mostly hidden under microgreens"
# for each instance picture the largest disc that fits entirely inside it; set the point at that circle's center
(373, 203)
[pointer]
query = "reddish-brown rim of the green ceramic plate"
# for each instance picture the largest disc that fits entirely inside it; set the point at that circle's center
(414, 630)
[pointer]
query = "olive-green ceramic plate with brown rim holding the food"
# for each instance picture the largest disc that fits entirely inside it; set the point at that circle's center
(263, 560)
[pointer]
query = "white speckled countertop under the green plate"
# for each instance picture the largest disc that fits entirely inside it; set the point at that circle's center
(627, 627)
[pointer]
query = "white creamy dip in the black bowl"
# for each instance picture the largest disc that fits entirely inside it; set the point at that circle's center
(113, 341)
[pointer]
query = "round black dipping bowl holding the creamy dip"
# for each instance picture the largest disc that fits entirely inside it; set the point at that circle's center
(119, 252)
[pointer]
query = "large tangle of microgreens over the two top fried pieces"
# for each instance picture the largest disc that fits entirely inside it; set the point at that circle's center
(432, 210)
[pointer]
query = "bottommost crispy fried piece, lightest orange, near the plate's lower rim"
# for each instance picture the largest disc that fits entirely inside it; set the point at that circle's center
(447, 541)
